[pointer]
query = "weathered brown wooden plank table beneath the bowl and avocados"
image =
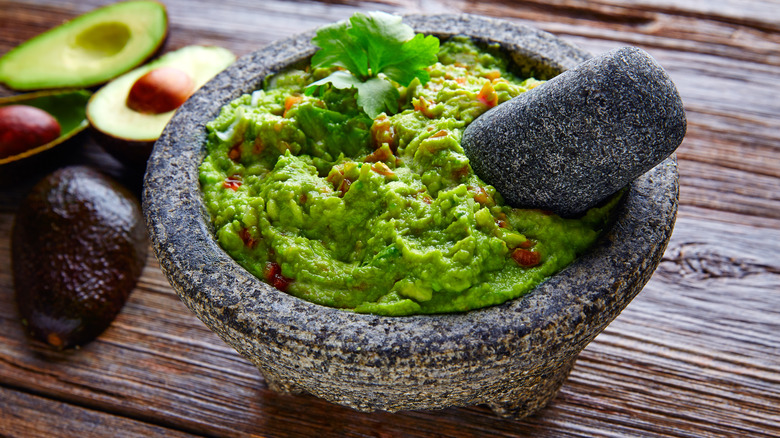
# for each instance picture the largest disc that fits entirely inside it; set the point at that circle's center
(697, 353)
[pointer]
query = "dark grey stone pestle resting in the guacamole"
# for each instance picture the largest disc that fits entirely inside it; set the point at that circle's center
(580, 137)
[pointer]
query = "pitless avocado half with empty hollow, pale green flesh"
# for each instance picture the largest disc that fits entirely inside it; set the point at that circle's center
(88, 50)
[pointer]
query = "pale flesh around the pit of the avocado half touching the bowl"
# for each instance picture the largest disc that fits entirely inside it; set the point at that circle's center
(108, 112)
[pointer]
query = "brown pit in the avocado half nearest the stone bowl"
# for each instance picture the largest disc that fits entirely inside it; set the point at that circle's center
(160, 90)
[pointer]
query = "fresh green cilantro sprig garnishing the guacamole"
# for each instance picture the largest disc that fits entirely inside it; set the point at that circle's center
(374, 49)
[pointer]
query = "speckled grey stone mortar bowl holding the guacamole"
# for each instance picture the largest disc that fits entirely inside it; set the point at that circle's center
(513, 357)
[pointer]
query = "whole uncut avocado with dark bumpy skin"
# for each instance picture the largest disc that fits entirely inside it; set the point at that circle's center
(78, 248)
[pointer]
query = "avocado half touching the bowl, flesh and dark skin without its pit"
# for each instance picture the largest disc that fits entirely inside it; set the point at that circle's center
(128, 134)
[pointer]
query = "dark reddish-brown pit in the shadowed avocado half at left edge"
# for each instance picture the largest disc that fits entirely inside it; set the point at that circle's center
(24, 127)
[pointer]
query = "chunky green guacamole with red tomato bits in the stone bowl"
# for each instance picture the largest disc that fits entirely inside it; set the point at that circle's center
(380, 216)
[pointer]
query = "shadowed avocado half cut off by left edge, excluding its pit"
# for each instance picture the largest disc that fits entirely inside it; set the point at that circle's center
(67, 107)
